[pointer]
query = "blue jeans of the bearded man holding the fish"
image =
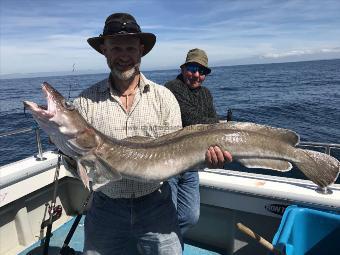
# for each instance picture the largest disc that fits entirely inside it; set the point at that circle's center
(149, 223)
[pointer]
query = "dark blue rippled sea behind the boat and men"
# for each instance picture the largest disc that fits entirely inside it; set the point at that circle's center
(301, 96)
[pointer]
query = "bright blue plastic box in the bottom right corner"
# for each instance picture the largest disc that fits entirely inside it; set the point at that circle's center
(308, 231)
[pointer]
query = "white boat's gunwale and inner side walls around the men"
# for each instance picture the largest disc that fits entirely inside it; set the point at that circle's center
(227, 197)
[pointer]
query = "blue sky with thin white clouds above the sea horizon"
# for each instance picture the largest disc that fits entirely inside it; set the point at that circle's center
(50, 36)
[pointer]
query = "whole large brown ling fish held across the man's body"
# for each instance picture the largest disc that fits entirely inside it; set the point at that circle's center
(102, 158)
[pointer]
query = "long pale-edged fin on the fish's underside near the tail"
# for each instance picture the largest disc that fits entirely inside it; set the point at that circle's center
(273, 164)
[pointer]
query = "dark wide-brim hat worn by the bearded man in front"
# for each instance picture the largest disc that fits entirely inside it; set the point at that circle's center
(123, 24)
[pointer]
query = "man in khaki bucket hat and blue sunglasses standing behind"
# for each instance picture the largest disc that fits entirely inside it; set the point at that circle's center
(196, 104)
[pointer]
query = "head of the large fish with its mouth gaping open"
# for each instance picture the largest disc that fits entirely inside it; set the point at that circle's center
(62, 122)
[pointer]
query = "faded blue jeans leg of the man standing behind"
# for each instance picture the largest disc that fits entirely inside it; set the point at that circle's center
(186, 198)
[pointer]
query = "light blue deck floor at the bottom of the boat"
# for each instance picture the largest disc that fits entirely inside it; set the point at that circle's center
(77, 241)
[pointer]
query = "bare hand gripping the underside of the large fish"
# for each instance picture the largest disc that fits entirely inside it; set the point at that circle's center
(215, 157)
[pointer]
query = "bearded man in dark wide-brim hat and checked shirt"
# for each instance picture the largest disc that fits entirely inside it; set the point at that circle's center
(126, 216)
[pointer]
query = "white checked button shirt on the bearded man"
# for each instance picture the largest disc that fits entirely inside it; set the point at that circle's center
(154, 112)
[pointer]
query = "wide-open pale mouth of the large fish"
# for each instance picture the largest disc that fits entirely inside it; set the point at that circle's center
(43, 111)
